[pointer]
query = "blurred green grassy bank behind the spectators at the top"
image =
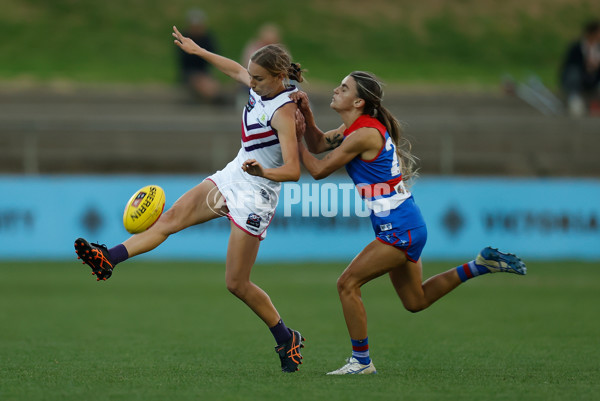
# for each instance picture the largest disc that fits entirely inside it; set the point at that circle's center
(432, 42)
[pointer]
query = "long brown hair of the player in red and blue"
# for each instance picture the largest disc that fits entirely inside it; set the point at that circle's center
(370, 89)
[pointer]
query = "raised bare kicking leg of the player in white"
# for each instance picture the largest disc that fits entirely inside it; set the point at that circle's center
(196, 206)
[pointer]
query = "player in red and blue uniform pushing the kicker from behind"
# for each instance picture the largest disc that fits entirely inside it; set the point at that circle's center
(367, 143)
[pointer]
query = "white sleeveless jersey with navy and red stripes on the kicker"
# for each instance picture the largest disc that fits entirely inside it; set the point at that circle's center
(259, 140)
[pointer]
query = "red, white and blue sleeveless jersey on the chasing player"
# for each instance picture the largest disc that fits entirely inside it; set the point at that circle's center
(379, 183)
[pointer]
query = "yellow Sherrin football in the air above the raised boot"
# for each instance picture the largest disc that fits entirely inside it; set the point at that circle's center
(144, 208)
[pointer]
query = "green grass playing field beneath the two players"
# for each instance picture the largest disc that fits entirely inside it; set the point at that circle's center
(171, 331)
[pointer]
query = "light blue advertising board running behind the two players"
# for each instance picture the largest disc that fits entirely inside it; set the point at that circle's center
(539, 219)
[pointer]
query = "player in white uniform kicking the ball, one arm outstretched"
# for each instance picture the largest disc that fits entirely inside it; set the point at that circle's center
(246, 190)
